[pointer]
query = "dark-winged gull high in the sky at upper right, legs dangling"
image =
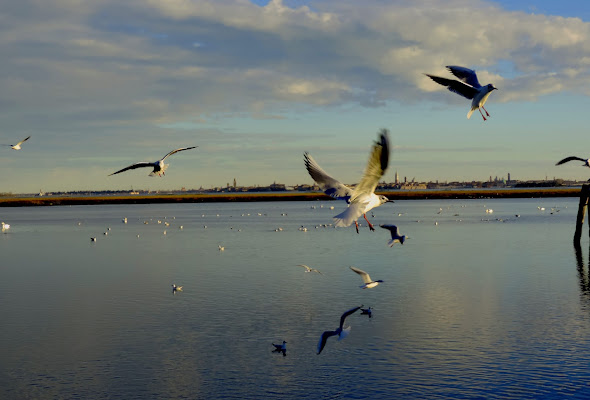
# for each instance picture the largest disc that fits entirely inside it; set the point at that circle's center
(467, 86)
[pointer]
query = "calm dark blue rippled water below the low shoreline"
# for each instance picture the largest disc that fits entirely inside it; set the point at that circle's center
(479, 306)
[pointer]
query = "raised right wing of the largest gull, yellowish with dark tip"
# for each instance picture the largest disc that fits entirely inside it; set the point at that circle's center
(376, 166)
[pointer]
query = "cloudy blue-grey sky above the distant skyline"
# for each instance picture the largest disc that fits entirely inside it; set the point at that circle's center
(102, 84)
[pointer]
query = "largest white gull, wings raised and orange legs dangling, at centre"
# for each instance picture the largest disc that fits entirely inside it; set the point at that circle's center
(362, 197)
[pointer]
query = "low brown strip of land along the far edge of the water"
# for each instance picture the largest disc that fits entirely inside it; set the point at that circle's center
(283, 196)
